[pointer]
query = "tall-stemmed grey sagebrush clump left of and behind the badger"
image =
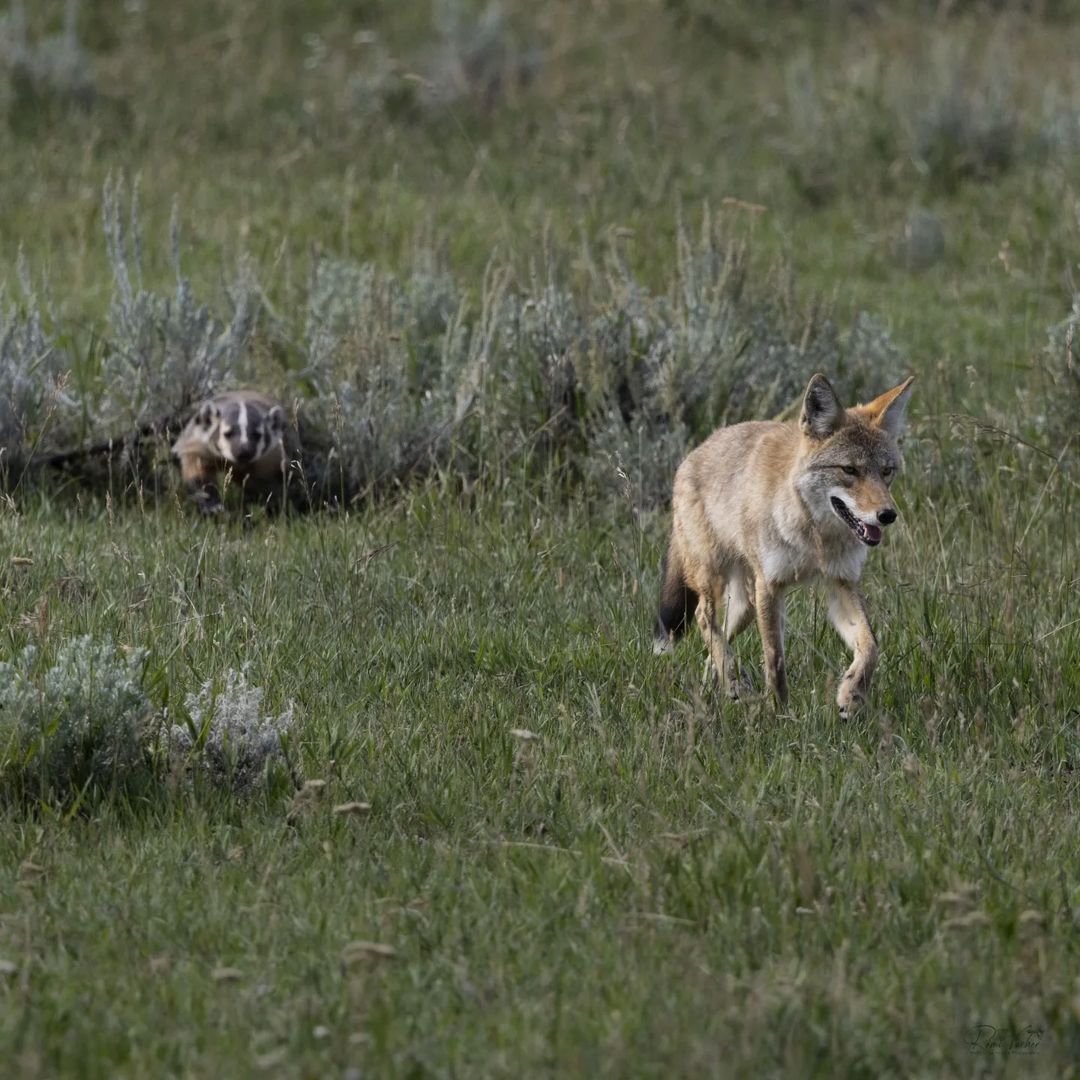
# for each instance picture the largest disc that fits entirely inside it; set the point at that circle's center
(160, 356)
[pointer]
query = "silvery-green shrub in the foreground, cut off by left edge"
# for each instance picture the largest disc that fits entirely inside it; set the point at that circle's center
(78, 725)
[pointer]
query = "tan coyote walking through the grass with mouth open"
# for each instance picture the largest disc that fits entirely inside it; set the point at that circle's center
(764, 506)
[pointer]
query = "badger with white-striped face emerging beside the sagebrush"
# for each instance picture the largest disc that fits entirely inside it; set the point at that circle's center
(242, 435)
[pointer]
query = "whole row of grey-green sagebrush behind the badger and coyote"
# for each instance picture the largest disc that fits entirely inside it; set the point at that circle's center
(399, 376)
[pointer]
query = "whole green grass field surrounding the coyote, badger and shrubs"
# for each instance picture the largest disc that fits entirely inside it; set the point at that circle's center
(565, 856)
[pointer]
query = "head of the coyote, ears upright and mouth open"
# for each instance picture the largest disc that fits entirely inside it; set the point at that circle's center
(850, 458)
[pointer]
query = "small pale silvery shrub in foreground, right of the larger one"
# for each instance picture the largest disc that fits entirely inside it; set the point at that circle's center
(231, 741)
